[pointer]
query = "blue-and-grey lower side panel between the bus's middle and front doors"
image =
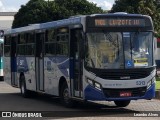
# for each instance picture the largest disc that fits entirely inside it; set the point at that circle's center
(54, 69)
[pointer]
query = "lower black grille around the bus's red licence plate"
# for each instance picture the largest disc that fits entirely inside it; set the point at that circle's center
(115, 93)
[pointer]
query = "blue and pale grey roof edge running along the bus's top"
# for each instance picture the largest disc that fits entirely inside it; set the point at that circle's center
(71, 20)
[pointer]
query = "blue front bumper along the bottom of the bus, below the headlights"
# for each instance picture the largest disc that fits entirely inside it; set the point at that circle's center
(91, 93)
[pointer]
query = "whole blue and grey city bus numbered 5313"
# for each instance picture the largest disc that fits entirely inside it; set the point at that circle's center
(99, 57)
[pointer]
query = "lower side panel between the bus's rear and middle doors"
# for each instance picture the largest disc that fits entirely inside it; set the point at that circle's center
(26, 65)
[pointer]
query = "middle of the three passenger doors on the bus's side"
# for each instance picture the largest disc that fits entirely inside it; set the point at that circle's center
(40, 36)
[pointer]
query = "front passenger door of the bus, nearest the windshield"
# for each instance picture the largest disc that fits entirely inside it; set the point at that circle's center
(76, 62)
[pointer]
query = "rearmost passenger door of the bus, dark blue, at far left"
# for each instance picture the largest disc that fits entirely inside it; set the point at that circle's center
(14, 81)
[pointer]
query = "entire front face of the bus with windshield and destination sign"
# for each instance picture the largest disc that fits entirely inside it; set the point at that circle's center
(119, 61)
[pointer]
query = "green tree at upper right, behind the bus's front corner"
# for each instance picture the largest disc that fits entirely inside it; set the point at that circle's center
(146, 7)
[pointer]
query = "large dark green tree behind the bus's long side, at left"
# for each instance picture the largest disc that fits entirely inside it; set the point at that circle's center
(39, 11)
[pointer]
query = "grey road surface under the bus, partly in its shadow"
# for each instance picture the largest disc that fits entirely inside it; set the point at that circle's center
(46, 106)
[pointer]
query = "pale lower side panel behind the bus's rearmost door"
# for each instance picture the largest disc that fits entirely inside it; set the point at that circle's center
(7, 70)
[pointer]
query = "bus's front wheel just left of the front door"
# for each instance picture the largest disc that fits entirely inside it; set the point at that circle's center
(64, 96)
